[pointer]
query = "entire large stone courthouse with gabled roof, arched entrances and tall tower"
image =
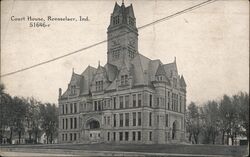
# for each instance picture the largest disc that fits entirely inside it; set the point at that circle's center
(131, 99)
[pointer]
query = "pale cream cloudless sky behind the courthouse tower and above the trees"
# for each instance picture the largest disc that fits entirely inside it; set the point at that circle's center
(211, 44)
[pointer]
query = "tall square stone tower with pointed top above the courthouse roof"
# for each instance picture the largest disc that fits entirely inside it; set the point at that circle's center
(122, 35)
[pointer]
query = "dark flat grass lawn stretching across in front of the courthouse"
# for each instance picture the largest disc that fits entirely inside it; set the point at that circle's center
(159, 148)
